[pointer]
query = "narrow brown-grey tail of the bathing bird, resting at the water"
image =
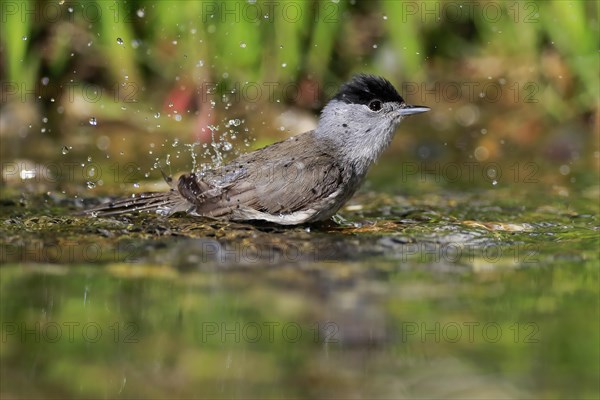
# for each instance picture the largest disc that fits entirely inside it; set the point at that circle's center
(163, 203)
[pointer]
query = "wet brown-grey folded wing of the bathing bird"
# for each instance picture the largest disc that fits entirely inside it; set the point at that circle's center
(300, 176)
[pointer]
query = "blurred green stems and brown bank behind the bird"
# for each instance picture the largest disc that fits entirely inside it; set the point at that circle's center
(507, 81)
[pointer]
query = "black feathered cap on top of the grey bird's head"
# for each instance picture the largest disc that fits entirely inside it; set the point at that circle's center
(363, 88)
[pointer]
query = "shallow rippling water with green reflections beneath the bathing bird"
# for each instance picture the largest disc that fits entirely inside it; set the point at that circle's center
(487, 293)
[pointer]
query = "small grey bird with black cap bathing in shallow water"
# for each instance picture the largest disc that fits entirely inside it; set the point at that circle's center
(303, 179)
